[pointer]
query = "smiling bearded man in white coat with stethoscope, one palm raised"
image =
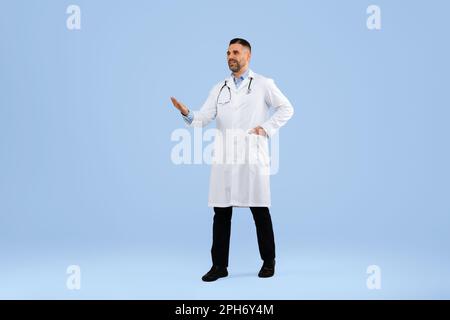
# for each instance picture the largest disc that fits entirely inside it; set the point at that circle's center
(240, 105)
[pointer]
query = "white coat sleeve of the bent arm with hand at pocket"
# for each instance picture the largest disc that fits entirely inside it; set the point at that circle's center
(283, 109)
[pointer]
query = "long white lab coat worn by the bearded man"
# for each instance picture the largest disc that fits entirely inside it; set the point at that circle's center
(241, 178)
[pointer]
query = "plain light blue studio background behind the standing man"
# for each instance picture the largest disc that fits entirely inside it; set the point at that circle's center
(85, 170)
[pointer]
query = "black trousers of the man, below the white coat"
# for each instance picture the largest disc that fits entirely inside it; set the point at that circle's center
(222, 231)
